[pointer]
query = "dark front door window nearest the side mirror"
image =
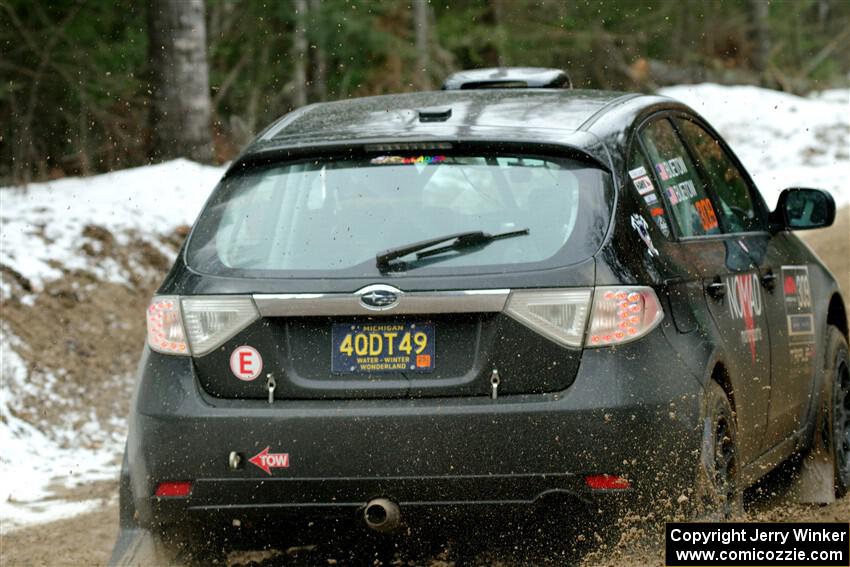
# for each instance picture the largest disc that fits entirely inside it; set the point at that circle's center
(733, 194)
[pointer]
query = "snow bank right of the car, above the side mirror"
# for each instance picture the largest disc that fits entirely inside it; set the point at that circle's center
(783, 140)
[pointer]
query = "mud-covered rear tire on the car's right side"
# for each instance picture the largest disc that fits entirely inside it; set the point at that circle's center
(723, 497)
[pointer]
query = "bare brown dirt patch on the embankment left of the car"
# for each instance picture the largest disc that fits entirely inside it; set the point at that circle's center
(80, 336)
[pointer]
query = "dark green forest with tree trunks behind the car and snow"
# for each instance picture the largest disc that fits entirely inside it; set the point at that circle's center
(88, 86)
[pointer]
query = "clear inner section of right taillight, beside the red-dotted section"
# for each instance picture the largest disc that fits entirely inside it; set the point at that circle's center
(560, 315)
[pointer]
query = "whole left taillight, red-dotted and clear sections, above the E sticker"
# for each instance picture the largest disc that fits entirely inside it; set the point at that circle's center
(196, 325)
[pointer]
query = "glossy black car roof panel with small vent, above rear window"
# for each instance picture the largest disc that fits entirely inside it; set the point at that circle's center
(452, 114)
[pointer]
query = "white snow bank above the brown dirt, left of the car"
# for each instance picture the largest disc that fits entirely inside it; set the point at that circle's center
(42, 224)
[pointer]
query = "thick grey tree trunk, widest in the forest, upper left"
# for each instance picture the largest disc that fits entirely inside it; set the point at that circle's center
(181, 109)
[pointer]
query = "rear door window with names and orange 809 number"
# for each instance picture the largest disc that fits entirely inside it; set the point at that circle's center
(681, 186)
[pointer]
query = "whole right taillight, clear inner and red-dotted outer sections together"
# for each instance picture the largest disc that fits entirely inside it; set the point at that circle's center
(616, 315)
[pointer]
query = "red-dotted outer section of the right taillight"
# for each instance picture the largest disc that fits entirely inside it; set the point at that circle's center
(622, 314)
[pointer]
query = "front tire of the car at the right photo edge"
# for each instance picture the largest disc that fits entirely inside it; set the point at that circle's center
(835, 422)
